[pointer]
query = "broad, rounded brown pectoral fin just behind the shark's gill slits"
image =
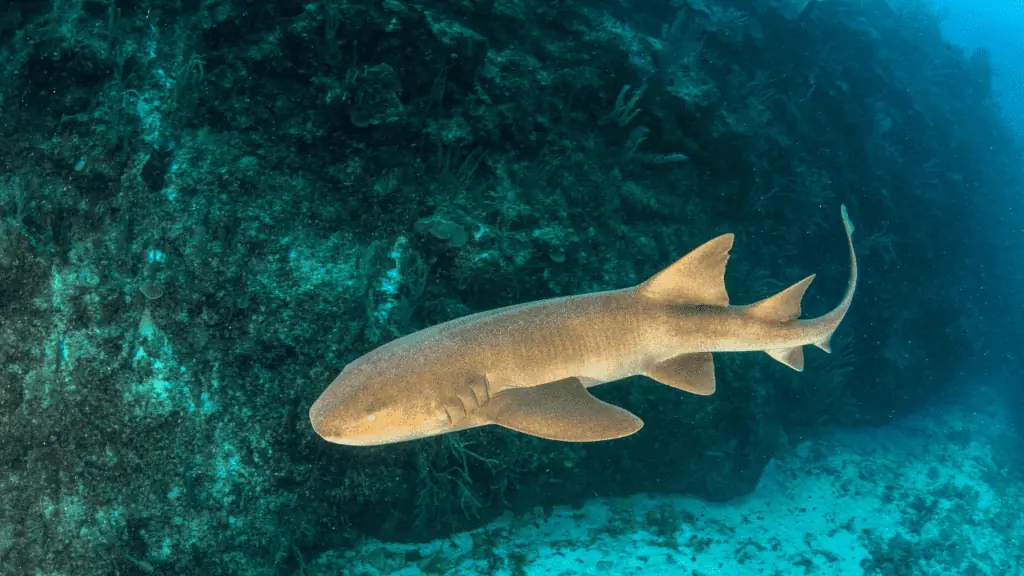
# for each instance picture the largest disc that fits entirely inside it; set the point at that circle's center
(563, 410)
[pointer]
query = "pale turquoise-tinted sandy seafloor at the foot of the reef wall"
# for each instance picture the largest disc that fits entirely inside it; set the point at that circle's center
(941, 492)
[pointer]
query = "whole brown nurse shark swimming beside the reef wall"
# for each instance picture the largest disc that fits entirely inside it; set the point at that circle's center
(528, 367)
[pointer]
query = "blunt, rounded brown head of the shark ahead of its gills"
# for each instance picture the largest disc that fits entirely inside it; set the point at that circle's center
(370, 407)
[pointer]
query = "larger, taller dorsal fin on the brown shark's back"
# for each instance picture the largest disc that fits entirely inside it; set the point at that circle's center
(698, 278)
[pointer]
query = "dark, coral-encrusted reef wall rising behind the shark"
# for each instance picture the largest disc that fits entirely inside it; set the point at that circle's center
(209, 208)
